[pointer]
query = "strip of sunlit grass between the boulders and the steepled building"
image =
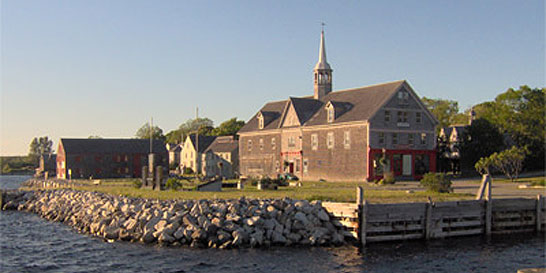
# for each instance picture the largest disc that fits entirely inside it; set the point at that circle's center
(327, 191)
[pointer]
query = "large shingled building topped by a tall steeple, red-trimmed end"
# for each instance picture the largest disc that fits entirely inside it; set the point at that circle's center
(341, 135)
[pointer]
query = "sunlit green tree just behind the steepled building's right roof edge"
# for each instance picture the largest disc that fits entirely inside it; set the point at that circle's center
(445, 111)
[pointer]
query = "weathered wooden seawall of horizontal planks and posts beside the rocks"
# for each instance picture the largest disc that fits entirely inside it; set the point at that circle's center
(366, 222)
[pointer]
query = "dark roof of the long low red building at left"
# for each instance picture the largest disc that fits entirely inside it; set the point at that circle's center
(112, 145)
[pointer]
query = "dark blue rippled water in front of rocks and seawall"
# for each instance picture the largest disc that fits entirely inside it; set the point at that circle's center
(29, 243)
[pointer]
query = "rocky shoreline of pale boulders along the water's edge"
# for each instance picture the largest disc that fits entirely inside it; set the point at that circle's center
(197, 223)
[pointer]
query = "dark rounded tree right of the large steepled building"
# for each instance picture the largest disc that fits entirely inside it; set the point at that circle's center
(480, 139)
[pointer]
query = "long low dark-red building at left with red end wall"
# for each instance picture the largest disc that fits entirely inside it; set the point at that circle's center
(107, 158)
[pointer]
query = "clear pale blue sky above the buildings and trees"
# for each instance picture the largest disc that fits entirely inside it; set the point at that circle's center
(81, 68)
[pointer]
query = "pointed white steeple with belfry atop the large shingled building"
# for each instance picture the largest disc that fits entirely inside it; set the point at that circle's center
(322, 71)
